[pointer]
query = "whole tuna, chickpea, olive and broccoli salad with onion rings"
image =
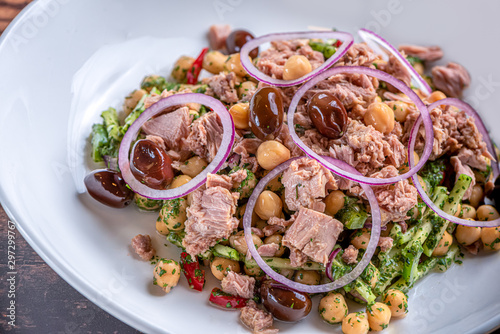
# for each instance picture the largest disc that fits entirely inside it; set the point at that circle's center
(314, 167)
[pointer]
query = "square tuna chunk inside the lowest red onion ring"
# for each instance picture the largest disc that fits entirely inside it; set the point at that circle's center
(314, 234)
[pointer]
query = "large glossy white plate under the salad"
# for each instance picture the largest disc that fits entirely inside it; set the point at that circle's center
(62, 62)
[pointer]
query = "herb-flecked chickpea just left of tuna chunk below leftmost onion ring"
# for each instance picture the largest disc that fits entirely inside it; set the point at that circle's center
(172, 216)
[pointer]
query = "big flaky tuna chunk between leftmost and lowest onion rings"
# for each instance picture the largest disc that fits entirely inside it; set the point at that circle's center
(210, 219)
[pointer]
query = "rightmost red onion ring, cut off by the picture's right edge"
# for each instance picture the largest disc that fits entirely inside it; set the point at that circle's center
(411, 147)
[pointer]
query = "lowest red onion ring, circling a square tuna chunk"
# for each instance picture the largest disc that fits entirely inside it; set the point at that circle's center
(346, 279)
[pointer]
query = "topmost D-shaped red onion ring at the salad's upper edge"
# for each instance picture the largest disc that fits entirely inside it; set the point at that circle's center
(346, 38)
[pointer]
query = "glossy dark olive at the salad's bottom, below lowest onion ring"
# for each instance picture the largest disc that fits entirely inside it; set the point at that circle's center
(284, 303)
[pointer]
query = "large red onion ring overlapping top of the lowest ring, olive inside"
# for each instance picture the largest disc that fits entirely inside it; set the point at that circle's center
(429, 132)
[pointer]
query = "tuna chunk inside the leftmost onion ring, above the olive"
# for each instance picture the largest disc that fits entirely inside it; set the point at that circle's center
(172, 127)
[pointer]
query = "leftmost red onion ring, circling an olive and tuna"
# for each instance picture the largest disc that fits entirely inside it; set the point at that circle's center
(157, 108)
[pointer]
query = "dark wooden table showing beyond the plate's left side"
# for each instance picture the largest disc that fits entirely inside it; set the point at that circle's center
(44, 302)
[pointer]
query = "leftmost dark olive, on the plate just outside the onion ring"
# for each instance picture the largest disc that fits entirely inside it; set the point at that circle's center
(109, 188)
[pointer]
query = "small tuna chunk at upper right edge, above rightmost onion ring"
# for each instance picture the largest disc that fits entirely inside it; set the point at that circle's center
(451, 80)
